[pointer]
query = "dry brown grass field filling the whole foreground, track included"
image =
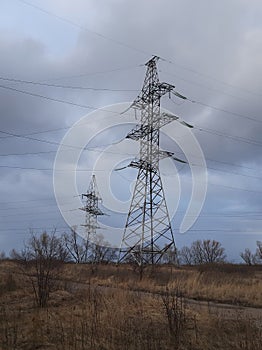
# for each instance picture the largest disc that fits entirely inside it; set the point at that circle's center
(109, 307)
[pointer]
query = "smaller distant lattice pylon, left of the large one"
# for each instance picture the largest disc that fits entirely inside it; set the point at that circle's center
(93, 200)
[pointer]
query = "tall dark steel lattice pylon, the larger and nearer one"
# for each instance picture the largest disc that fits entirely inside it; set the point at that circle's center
(148, 233)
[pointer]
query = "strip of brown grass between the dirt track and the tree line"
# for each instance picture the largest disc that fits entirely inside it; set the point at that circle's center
(233, 284)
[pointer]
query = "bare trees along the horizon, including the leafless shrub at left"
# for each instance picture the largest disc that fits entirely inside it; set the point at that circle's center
(43, 256)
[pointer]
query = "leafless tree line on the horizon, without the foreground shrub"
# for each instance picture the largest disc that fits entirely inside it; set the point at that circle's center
(70, 247)
